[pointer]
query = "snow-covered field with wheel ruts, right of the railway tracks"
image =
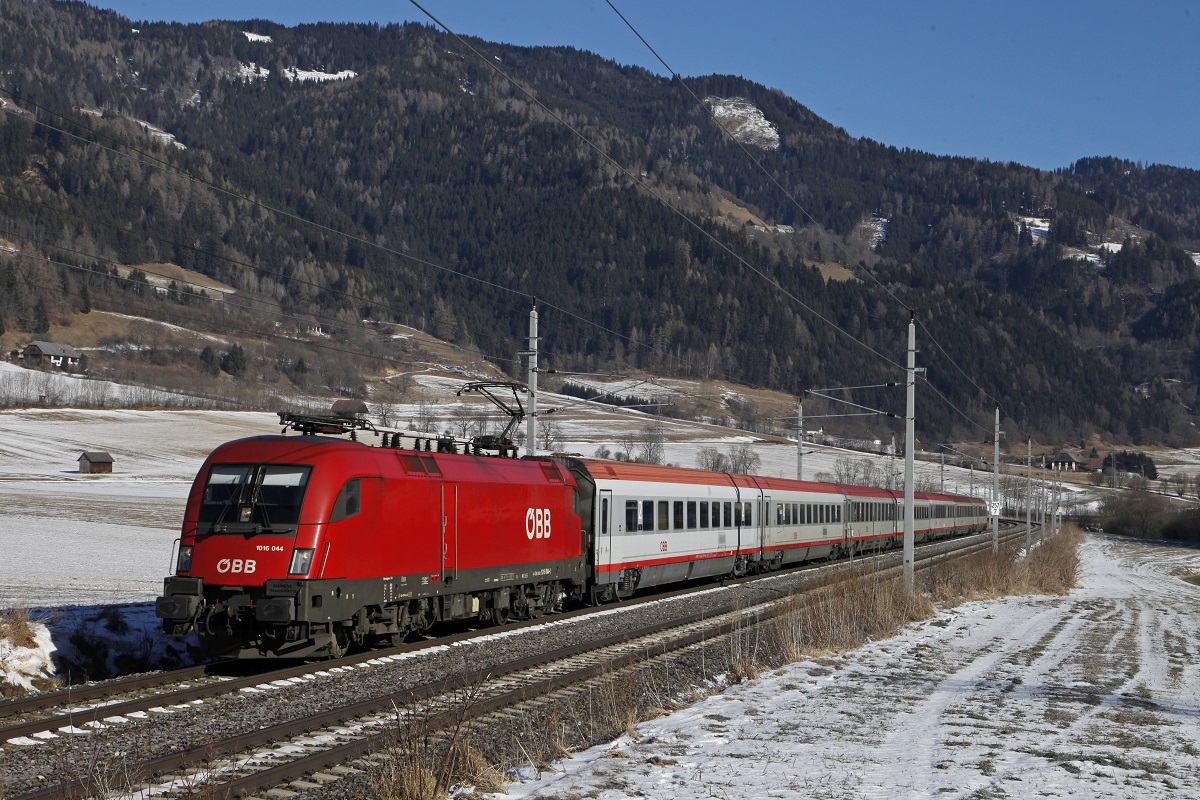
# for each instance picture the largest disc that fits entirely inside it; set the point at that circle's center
(1089, 696)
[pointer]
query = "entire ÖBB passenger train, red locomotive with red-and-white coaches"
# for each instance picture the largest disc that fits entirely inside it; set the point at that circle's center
(304, 546)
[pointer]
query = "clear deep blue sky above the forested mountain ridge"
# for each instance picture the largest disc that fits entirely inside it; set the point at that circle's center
(1039, 83)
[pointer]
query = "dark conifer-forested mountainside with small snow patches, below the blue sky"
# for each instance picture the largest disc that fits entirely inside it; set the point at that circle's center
(424, 188)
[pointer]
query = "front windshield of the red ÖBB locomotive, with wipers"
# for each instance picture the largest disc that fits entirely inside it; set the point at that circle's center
(241, 498)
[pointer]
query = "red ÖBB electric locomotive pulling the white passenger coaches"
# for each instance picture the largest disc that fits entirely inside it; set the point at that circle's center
(299, 546)
